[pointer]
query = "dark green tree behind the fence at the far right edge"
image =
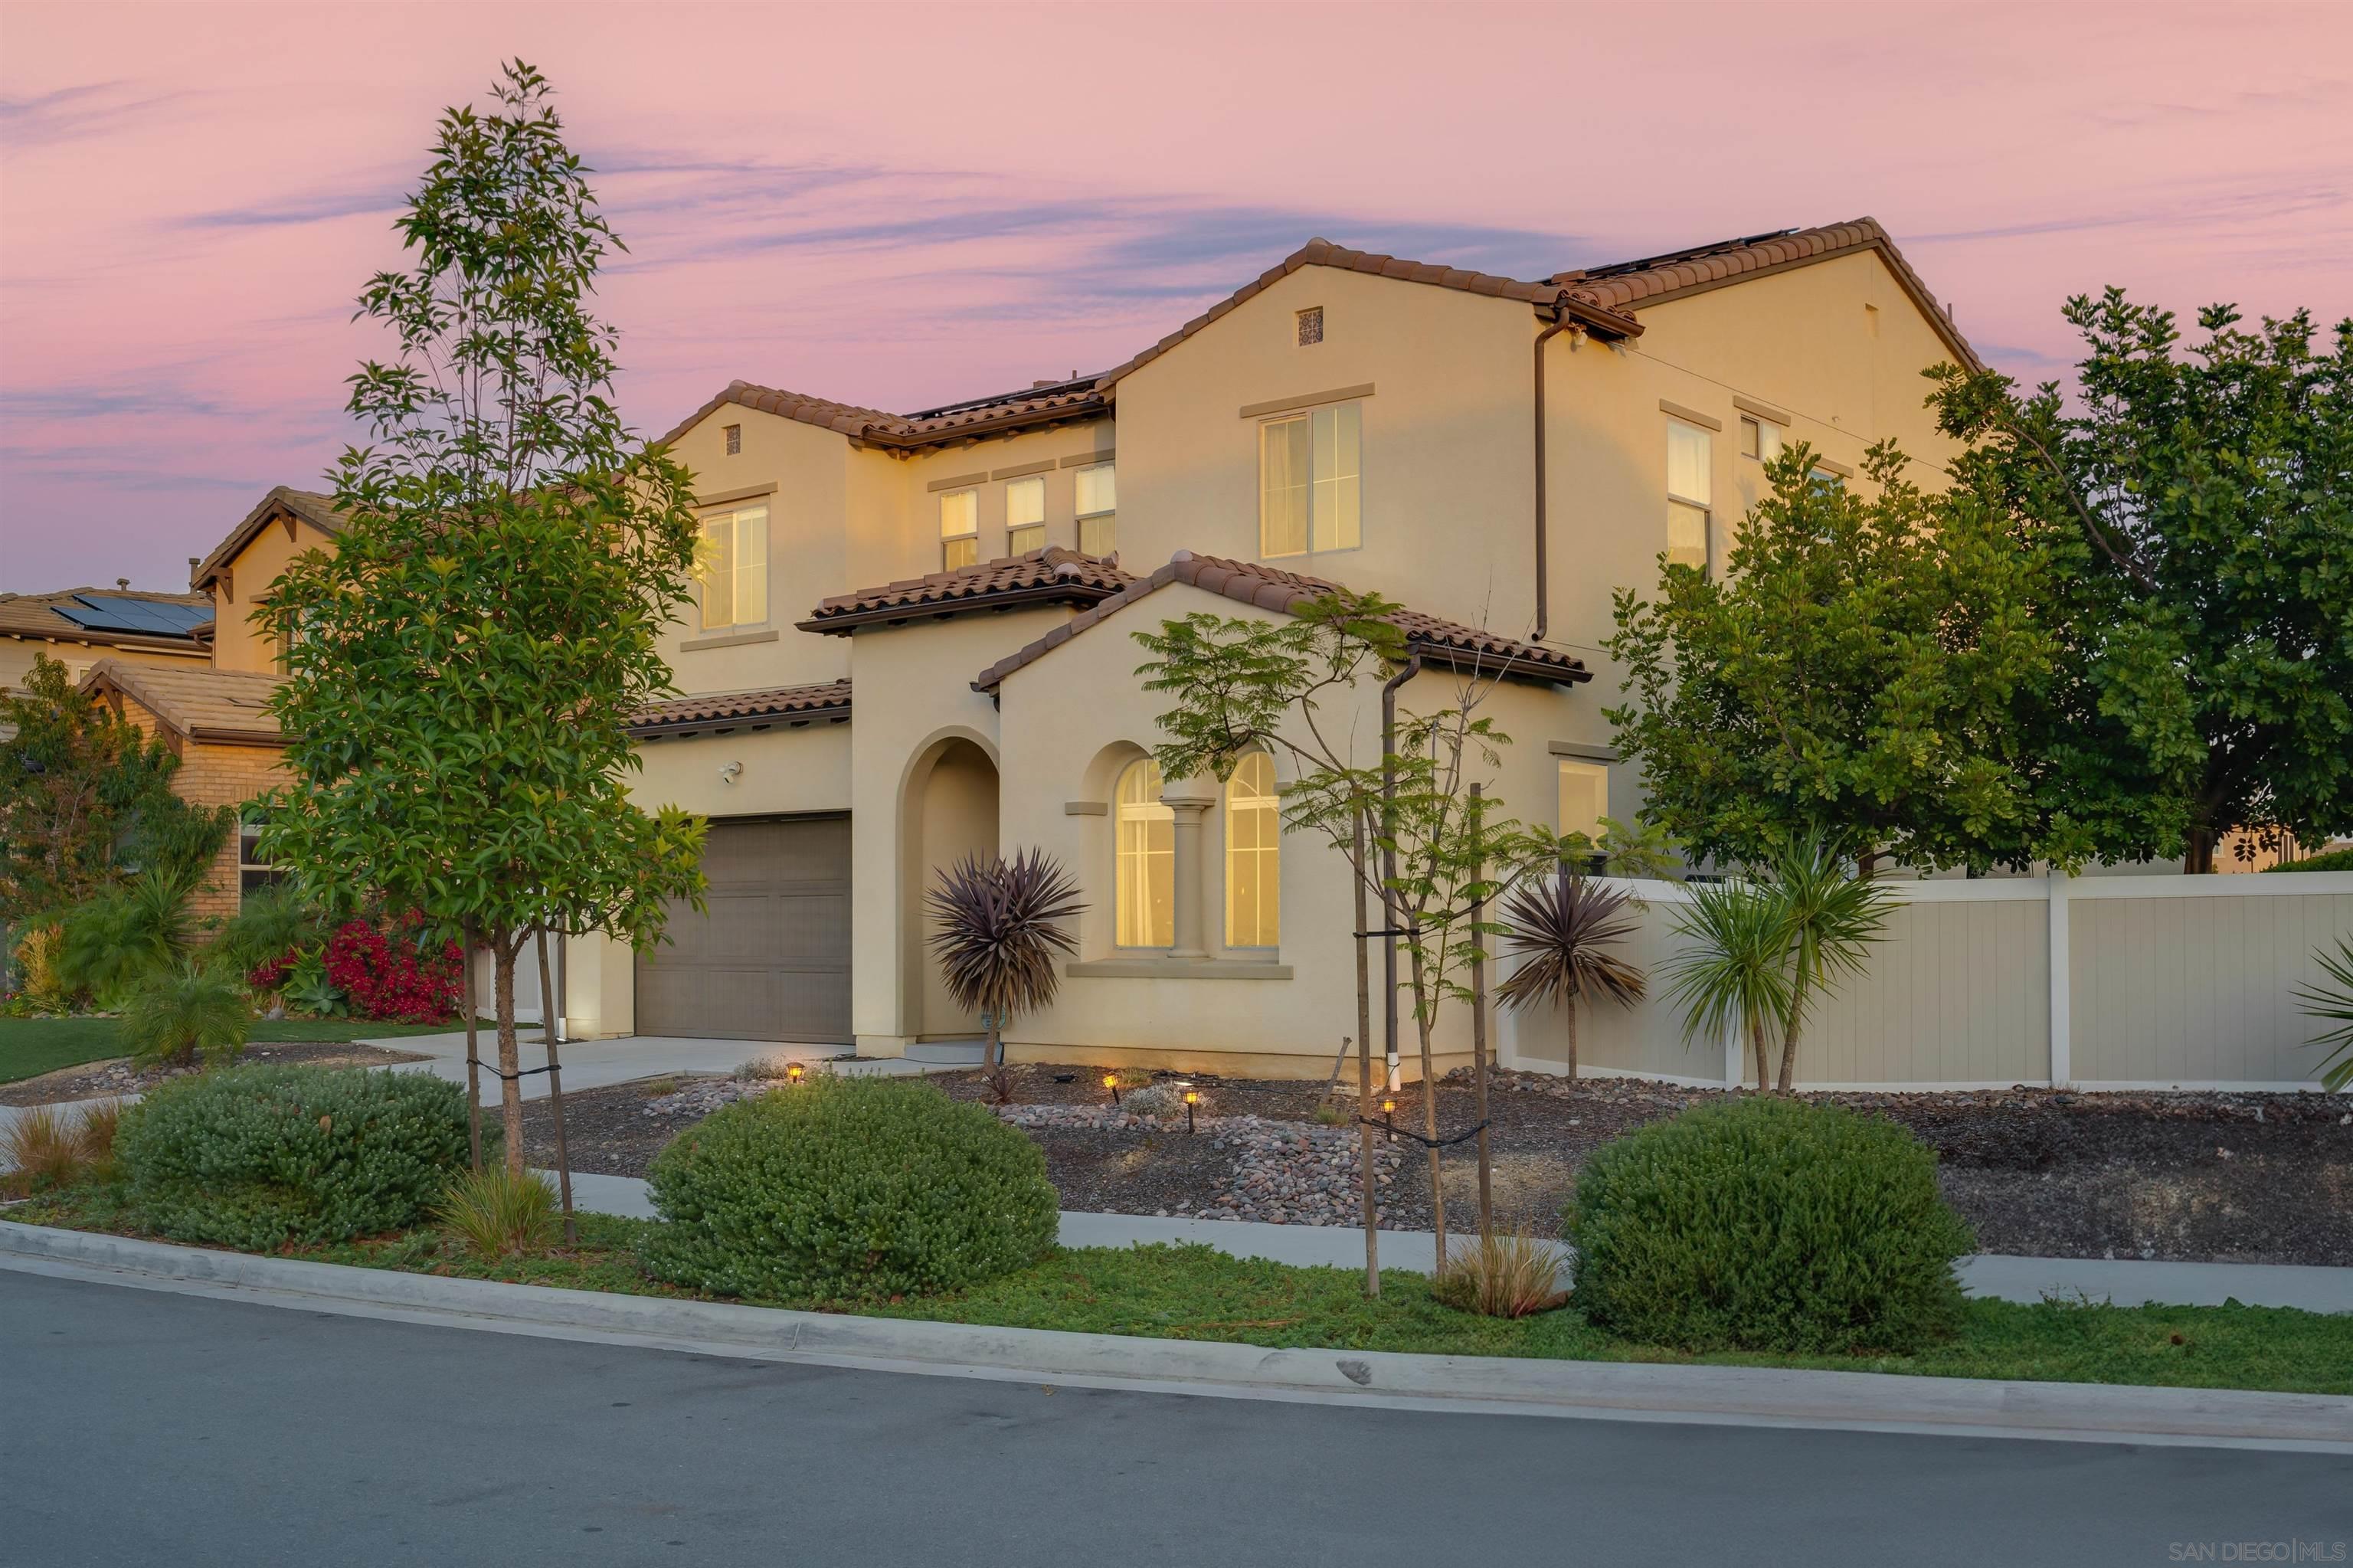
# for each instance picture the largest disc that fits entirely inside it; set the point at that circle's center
(2197, 510)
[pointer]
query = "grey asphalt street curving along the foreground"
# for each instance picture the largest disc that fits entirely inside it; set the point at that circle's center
(142, 1428)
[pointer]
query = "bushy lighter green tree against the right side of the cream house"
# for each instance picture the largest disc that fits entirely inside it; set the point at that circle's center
(1877, 665)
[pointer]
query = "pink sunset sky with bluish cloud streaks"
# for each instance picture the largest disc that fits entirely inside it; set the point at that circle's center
(905, 206)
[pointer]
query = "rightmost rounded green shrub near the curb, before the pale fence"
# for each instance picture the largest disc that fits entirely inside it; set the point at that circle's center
(1768, 1225)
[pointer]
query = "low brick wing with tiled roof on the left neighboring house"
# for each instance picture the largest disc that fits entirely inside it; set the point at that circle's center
(220, 729)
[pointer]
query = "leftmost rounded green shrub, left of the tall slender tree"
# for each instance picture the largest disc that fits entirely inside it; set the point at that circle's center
(258, 1157)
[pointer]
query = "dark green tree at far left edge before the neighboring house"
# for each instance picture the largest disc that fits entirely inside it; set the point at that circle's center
(86, 799)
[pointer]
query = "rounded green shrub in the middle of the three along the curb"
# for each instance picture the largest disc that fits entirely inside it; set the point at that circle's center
(848, 1190)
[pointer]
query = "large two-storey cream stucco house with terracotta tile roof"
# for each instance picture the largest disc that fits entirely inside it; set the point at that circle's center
(1498, 456)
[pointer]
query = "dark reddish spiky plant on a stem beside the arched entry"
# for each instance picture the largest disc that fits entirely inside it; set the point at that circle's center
(999, 931)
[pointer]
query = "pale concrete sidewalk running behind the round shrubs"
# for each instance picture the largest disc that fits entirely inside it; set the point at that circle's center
(2013, 1280)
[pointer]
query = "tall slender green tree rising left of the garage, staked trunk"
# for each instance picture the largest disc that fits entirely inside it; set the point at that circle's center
(465, 663)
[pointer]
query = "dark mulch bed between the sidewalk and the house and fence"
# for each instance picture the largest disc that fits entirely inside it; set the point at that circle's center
(2192, 1176)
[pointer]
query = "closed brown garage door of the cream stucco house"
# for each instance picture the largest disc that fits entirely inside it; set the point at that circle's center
(771, 957)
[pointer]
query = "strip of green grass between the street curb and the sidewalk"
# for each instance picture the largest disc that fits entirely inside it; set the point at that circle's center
(1199, 1294)
